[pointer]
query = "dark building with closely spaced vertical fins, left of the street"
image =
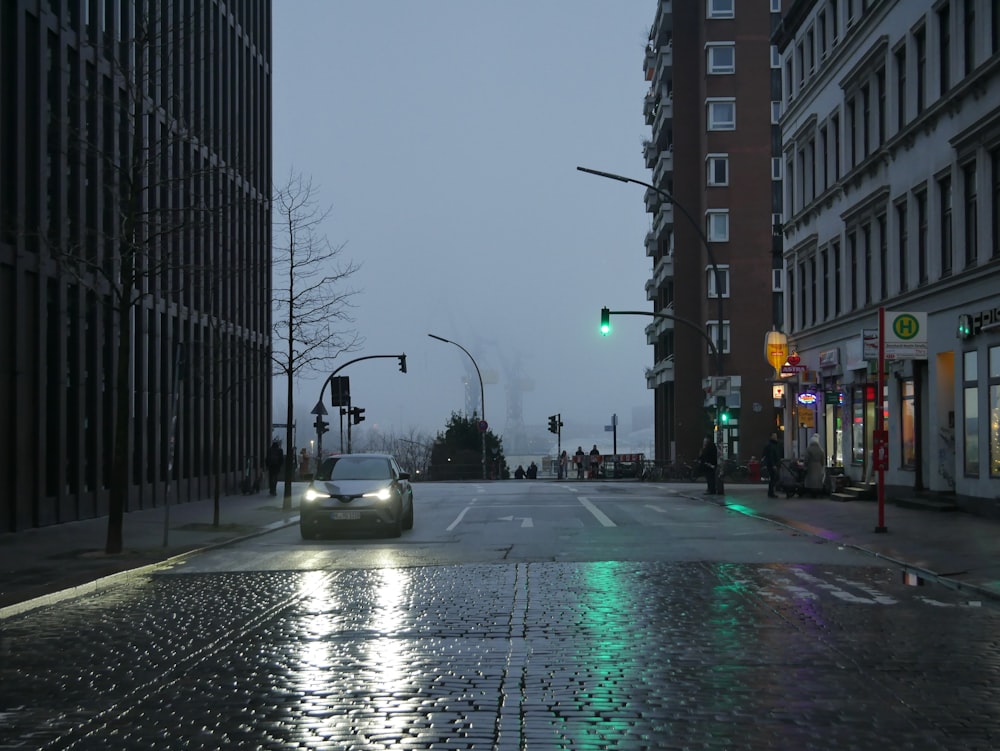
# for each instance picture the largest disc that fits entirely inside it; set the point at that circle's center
(135, 179)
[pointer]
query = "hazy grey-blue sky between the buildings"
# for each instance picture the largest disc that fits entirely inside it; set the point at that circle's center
(444, 135)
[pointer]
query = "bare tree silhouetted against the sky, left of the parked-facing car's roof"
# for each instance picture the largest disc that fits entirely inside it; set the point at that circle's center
(311, 315)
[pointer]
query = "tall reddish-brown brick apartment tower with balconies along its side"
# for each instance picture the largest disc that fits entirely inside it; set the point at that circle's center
(715, 83)
